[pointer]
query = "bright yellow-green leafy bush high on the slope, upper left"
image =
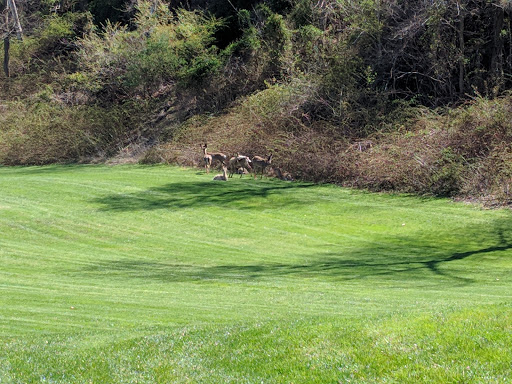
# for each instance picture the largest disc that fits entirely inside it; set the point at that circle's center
(163, 48)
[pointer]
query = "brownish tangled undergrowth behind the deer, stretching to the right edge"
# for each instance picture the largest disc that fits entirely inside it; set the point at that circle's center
(465, 153)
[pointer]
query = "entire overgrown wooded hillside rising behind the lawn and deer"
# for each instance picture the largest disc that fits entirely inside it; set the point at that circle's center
(409, 97)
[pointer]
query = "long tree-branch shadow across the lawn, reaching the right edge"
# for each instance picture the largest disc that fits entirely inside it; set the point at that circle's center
(416, 262)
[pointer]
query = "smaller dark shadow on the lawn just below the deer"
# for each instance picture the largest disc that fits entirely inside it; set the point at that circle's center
(197, 194)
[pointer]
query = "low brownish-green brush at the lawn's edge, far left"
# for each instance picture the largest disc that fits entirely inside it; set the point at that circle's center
(45, 130)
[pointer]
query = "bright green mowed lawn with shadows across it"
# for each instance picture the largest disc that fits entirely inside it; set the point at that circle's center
(157, 274)
